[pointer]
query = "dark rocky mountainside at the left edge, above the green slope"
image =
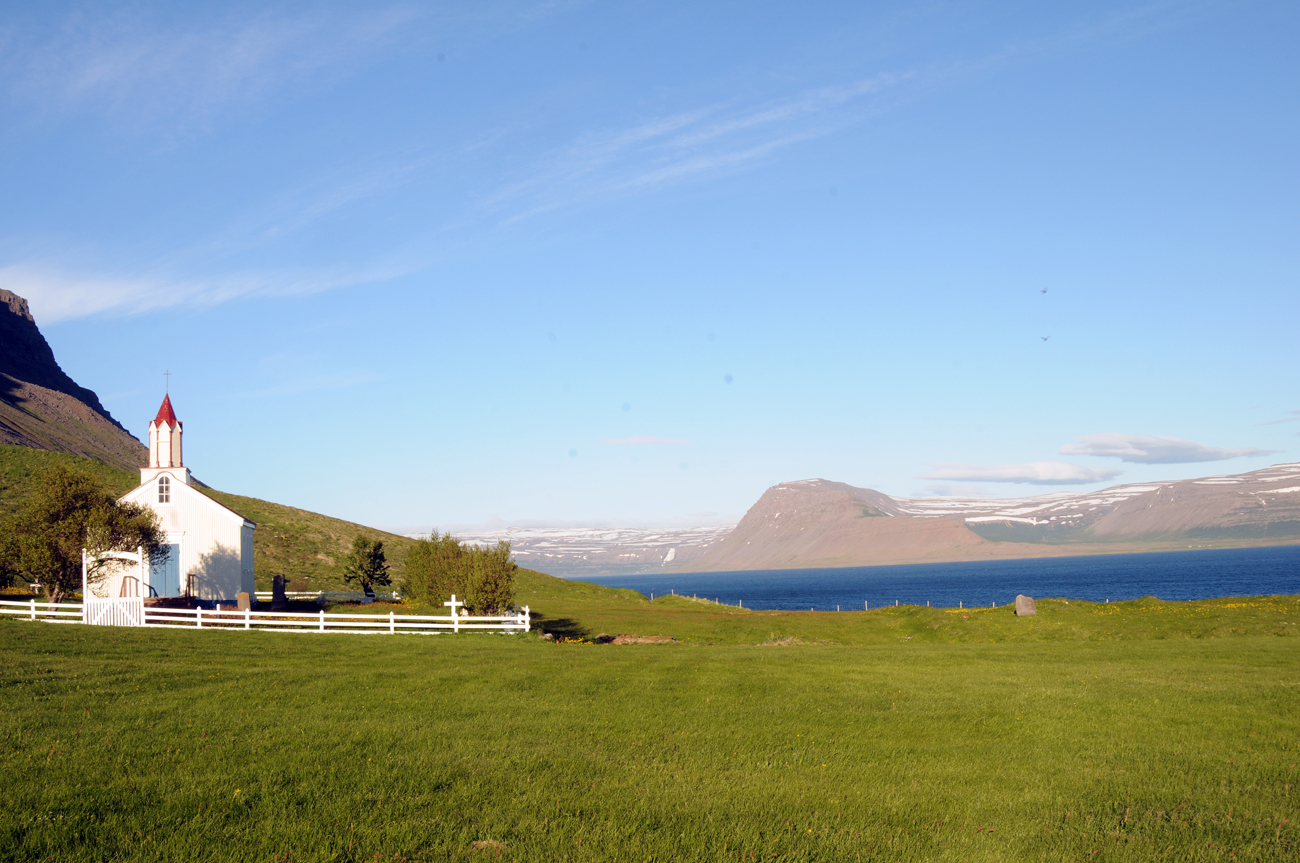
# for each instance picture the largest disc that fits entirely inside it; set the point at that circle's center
(44, 409)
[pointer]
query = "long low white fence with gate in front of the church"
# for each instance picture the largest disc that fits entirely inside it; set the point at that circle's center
(115, 613)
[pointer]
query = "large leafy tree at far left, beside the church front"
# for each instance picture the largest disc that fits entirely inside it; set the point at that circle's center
(68, 511)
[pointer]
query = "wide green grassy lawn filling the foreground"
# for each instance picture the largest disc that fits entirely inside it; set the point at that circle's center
(1138, 731)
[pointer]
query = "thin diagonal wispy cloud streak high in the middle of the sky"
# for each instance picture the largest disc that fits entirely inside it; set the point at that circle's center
(682, 146)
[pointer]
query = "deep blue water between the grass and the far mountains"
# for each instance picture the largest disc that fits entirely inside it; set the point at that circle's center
(1169, 575)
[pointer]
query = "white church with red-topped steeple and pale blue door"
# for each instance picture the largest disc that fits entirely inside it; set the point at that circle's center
(209, 547)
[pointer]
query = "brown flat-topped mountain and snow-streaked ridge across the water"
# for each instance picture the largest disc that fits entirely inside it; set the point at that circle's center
(817, 523)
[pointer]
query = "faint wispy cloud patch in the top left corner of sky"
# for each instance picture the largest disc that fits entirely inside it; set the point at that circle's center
(135, 67)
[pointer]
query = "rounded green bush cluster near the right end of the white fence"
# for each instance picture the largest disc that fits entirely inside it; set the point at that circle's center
(484, 579)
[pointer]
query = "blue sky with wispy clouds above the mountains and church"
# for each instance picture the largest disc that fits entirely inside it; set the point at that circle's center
(431, 264)
